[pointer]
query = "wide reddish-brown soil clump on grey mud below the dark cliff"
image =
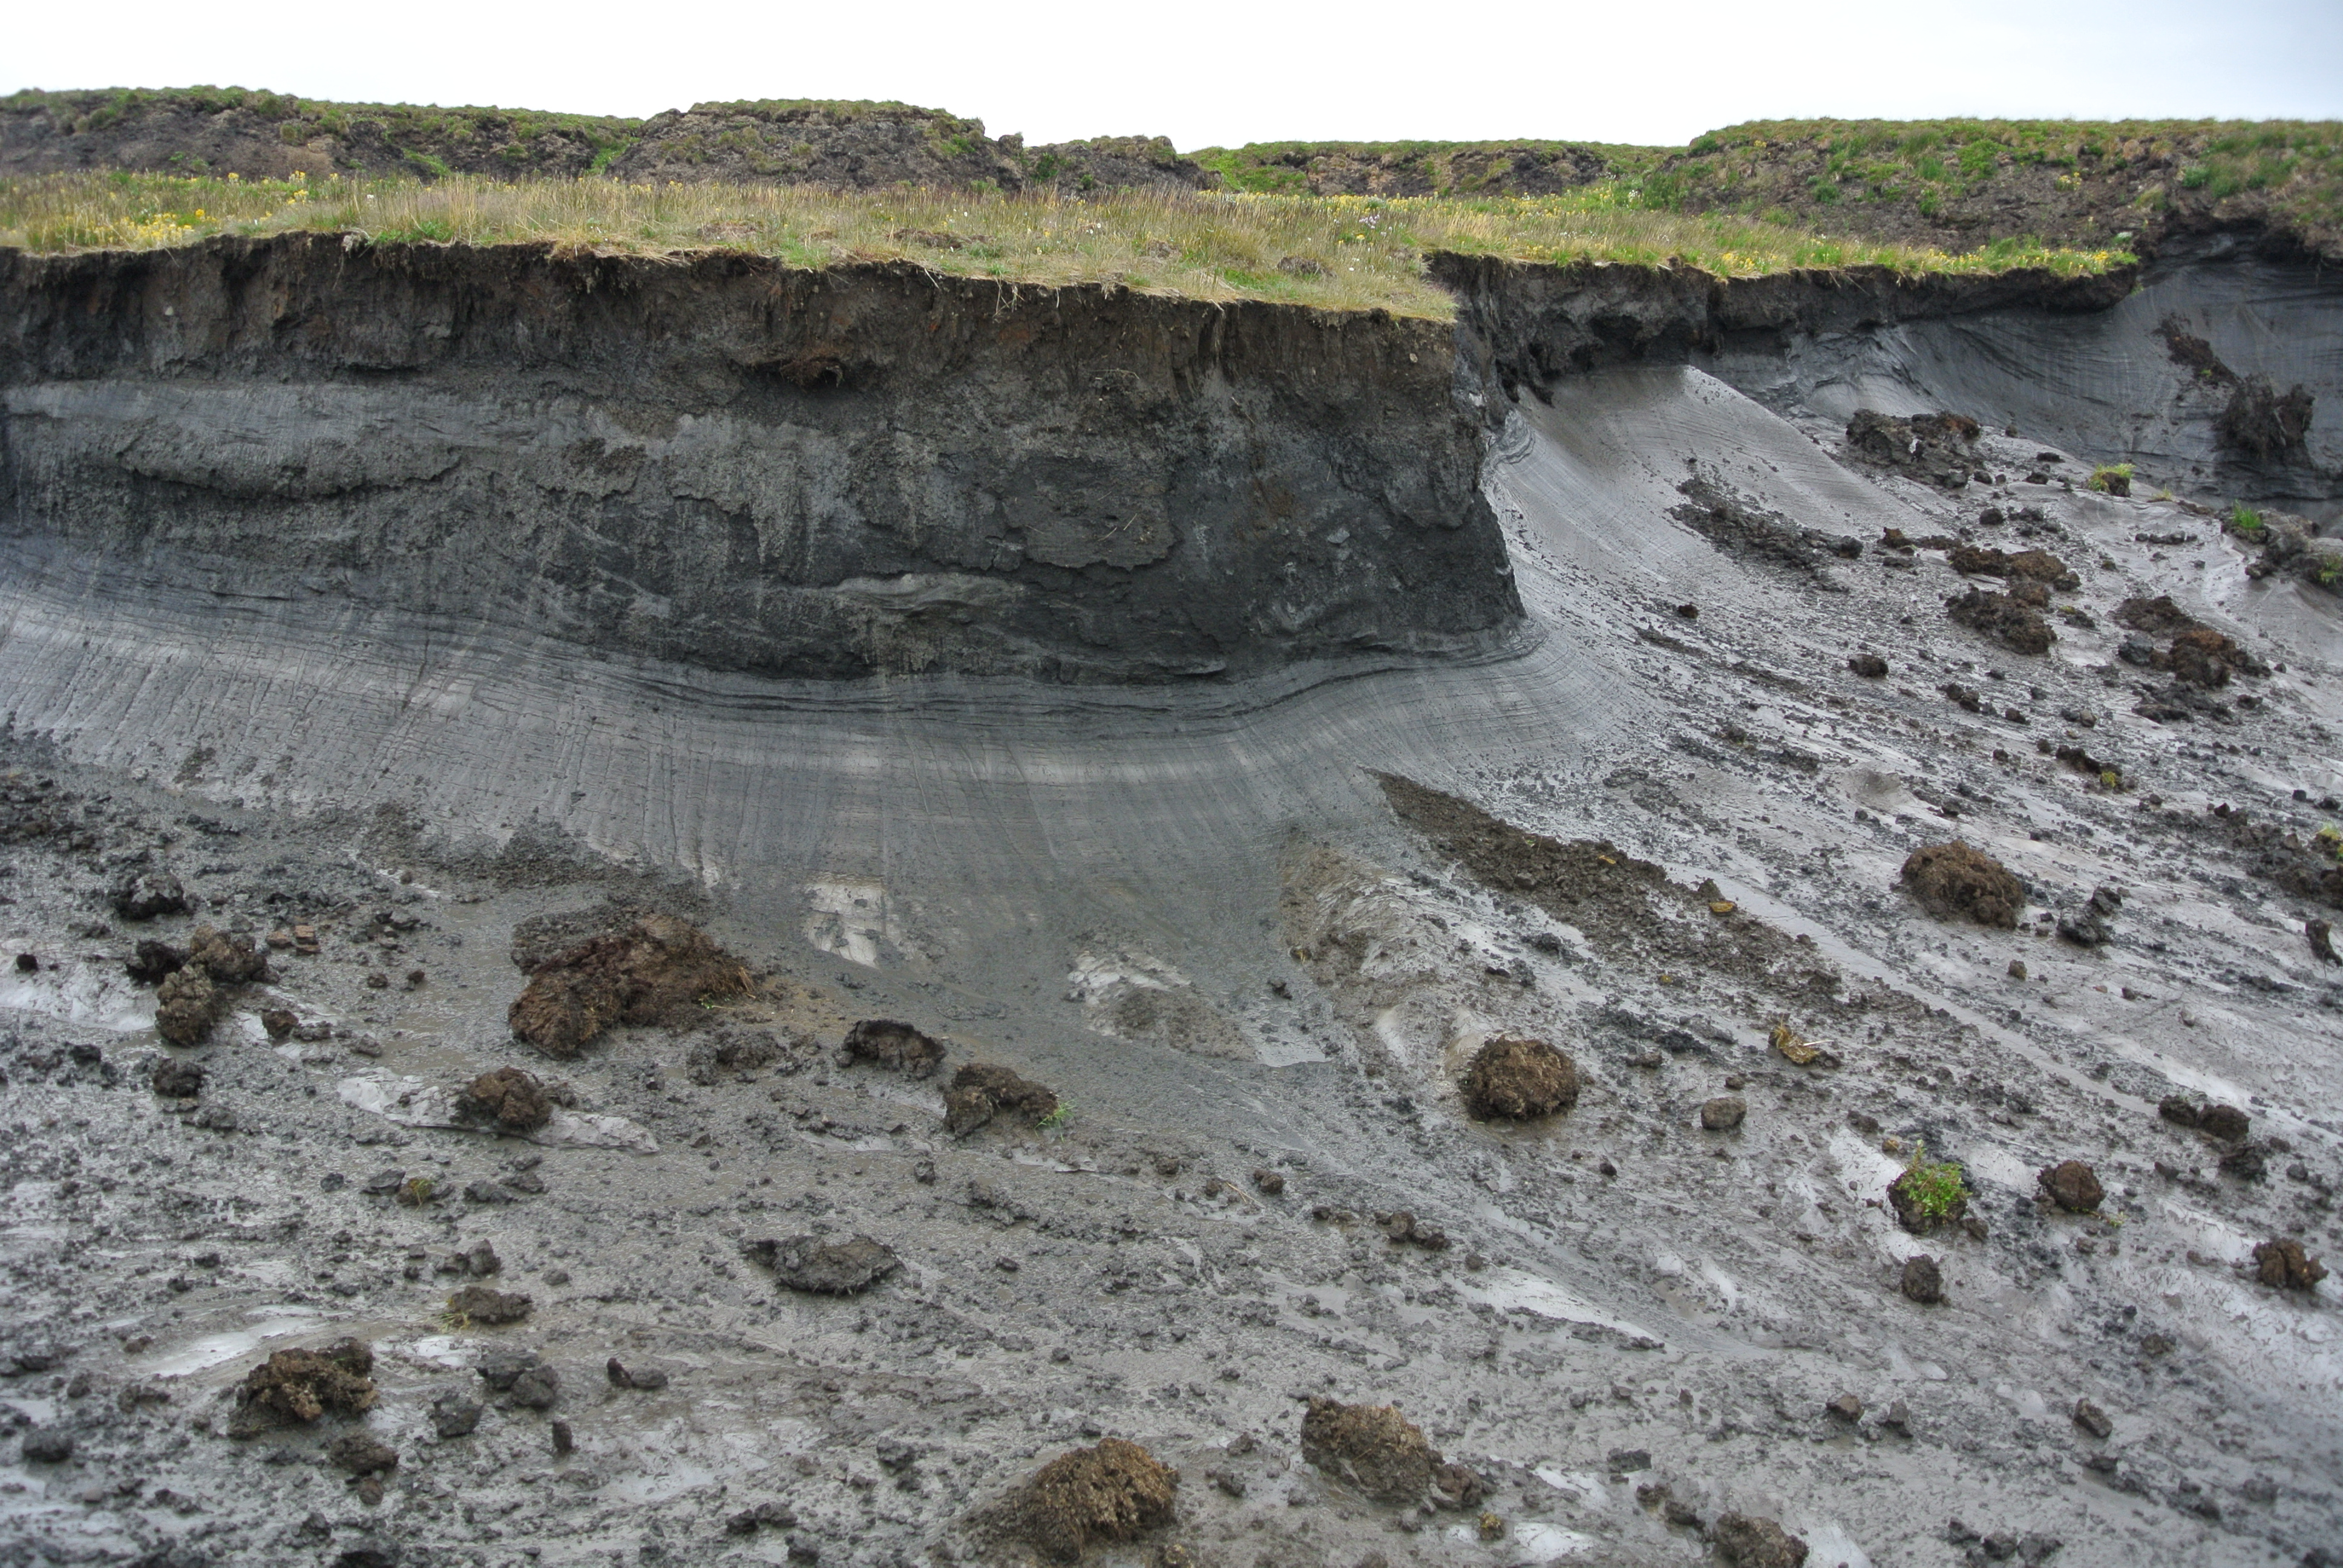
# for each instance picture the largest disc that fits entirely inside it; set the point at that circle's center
(655, 972)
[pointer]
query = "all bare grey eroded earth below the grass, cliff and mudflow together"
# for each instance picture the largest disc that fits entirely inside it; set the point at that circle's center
(685, 911)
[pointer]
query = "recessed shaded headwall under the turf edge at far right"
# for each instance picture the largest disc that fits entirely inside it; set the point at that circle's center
(2126, 367)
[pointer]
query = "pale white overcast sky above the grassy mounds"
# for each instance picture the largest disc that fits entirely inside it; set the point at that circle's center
(1231, 74)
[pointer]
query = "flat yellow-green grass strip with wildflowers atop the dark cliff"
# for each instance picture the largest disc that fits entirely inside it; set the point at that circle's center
(1327, 252)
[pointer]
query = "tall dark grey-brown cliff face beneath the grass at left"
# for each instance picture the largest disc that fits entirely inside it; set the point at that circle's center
(751, 468)
